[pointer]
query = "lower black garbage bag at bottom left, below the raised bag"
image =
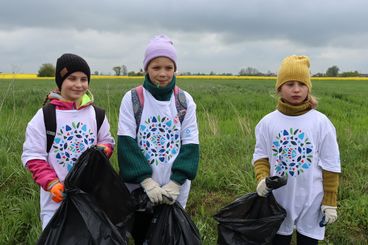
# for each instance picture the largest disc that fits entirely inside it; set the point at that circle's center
(80, 221)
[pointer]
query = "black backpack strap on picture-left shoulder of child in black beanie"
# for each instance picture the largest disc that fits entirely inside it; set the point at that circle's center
(49, 118)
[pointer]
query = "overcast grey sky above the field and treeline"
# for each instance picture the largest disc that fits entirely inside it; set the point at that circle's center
(209, 35)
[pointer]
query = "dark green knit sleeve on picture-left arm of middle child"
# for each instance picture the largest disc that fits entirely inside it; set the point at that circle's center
(133, 166)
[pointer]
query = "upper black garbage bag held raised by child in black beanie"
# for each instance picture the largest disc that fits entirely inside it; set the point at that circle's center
(94, 175)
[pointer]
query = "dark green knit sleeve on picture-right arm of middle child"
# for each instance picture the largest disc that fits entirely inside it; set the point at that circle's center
(185, 165)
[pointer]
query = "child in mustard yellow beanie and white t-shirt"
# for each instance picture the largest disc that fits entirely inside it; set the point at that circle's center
(298, 141)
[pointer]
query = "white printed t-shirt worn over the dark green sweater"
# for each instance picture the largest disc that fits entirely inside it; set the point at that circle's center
(160, 135)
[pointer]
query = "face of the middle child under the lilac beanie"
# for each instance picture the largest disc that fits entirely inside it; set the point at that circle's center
(161, 71)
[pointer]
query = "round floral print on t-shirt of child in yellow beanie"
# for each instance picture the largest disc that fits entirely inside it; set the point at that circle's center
(293, 151)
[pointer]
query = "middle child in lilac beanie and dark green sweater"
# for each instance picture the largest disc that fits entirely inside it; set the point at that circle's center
(158, 145)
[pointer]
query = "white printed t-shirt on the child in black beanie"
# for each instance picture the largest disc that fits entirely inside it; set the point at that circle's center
(75, 132)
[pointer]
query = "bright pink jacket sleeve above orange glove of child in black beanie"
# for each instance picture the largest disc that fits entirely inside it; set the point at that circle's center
(42, 173)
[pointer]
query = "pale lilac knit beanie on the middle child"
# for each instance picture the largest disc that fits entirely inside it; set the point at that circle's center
(159, 46)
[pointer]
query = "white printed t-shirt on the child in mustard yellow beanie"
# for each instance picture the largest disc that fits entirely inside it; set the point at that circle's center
(300, 147)
